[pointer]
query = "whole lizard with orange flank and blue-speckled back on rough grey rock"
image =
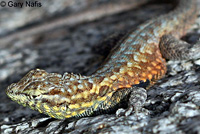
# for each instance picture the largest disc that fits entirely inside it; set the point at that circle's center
(128, 72)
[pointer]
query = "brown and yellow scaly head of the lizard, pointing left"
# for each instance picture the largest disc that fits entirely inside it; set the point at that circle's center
(37, 87)
